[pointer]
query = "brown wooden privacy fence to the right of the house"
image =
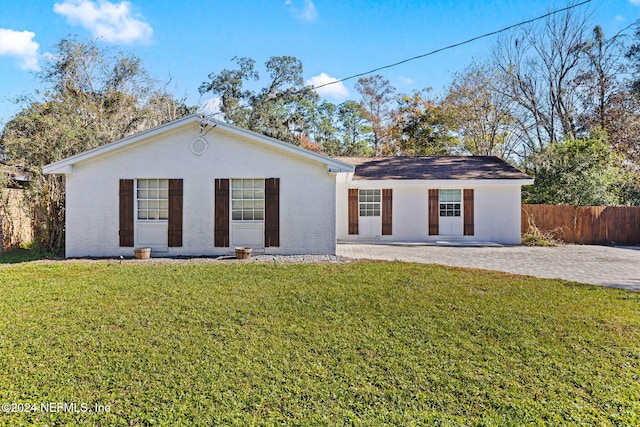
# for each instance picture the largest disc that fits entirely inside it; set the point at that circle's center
(598, 225)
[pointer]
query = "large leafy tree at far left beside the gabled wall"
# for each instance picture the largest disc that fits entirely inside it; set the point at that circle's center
(92, 97)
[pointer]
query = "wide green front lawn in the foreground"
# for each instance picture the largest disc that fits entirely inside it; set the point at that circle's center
(334, 344)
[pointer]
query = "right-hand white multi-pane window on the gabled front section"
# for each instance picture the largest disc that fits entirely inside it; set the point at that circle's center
(247, 199)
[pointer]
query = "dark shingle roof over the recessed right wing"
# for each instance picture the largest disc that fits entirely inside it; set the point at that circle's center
(432, 168)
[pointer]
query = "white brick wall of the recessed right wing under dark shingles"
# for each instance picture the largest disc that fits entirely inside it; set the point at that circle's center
(497, 210)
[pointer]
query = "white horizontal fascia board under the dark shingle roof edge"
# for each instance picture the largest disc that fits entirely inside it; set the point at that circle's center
(440, 183)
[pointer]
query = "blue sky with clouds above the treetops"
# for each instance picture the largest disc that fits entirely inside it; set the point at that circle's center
(185, 41)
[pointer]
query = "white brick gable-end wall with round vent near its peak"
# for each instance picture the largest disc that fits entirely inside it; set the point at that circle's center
(307, 192)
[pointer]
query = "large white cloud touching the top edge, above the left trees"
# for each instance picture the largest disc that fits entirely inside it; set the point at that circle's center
(111, 22)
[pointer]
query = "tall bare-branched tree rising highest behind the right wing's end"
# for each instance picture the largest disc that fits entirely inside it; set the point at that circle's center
(541, 67)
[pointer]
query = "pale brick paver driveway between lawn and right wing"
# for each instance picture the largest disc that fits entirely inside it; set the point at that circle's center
(599, 265)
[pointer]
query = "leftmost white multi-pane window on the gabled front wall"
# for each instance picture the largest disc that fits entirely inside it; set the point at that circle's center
(152, 199)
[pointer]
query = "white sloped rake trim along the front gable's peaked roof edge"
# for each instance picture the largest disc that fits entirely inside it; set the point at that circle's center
(65, 166)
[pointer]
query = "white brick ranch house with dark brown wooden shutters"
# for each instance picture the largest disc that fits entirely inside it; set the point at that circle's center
(200, 187)
